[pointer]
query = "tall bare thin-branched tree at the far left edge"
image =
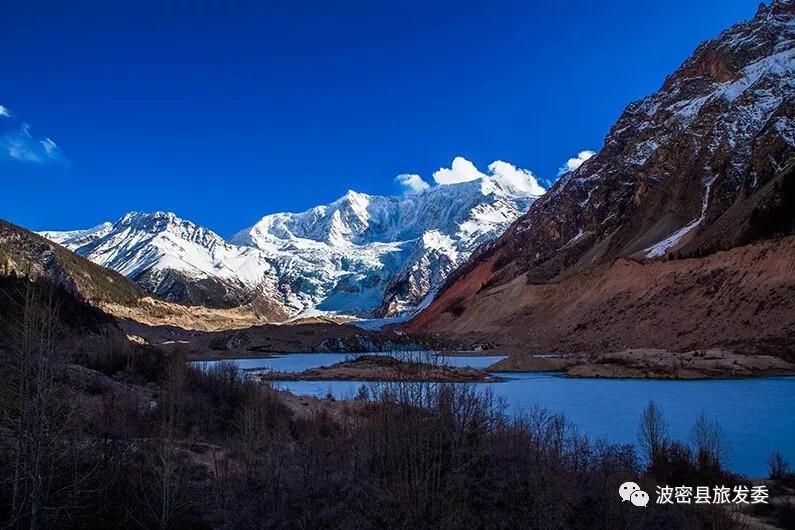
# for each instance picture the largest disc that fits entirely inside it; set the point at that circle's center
(36, 413)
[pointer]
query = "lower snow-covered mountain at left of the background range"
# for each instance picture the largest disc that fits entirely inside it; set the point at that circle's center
(177, 260)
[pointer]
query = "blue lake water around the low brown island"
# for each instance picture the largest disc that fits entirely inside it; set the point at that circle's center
(757, 416)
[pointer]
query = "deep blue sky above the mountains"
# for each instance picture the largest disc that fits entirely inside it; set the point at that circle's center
(224, 111)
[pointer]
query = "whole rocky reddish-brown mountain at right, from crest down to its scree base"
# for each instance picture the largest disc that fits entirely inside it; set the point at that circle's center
(705, 164)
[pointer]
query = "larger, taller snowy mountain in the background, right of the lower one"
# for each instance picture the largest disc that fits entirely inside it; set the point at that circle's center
(345, 256)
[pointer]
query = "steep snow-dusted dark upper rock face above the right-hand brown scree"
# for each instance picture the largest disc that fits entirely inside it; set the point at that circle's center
(694, 168)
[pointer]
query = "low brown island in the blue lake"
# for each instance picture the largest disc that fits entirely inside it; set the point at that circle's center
(383, 368)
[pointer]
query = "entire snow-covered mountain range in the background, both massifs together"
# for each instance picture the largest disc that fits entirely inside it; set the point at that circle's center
(359, 255)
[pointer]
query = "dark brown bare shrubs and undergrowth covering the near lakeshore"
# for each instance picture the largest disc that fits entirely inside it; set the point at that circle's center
(120, 435)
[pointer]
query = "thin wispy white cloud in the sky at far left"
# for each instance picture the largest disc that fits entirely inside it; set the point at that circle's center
(17, 142)
